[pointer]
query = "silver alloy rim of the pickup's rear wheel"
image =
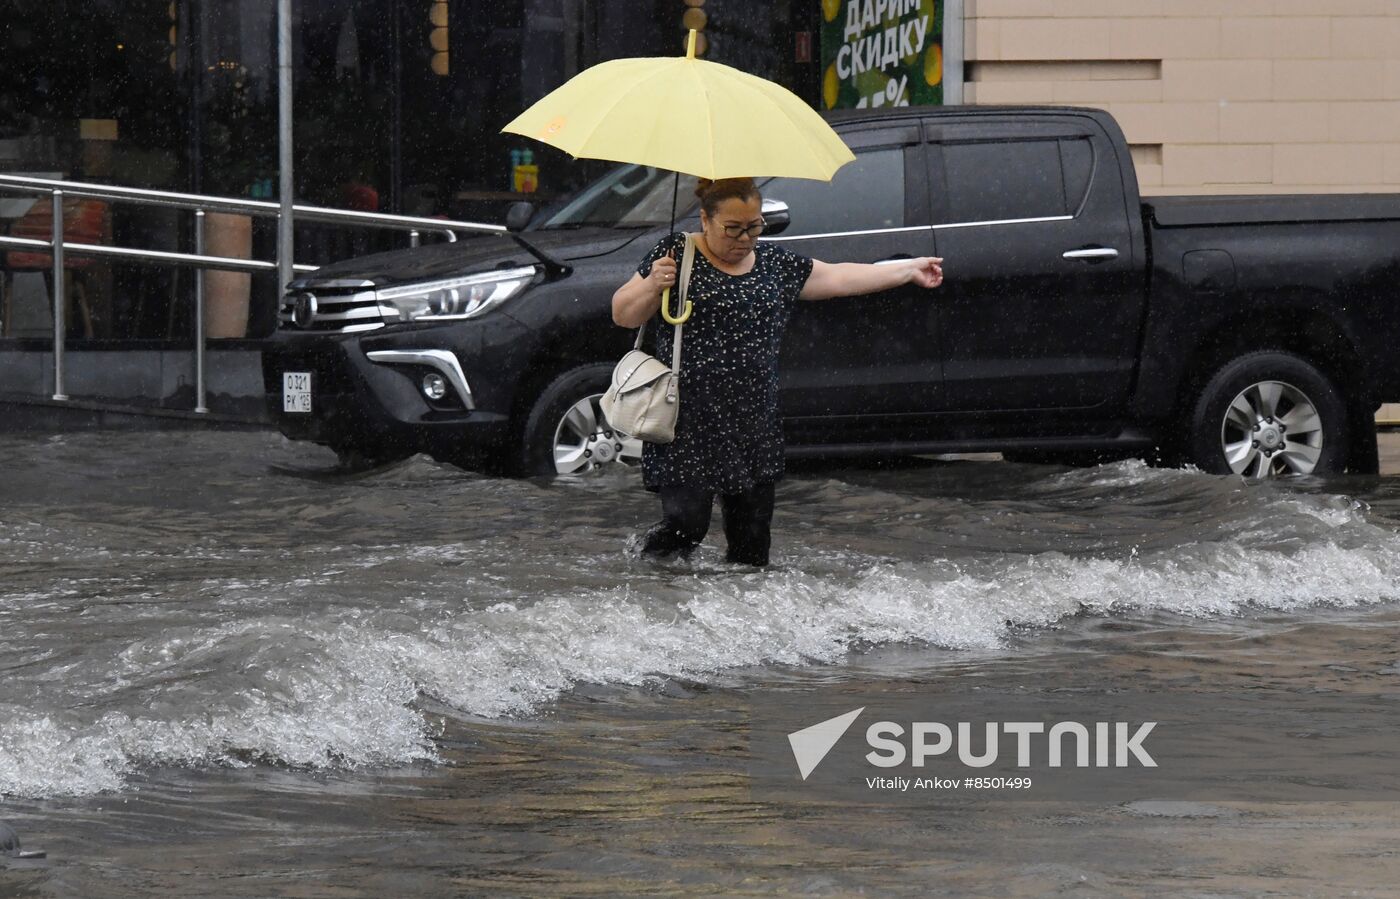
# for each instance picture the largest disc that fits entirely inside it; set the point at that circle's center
(1272, 429)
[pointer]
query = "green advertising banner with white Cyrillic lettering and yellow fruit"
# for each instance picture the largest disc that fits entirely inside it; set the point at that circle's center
(883, 54)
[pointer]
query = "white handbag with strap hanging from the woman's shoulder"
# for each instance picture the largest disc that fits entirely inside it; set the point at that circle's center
(645, 397)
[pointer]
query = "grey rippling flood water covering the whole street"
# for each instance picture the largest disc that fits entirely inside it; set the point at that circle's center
(226, 674)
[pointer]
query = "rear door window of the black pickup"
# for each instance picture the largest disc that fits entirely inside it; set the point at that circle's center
(1004, 180)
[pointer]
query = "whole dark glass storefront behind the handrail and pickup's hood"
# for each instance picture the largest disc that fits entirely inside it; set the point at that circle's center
(398, 109)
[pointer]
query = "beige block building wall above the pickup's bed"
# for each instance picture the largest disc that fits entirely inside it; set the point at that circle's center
(1214, 96)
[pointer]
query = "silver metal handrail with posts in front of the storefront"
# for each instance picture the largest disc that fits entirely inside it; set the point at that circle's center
(199, 260)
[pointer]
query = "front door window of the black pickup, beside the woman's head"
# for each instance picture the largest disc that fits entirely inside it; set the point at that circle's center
(866, 195)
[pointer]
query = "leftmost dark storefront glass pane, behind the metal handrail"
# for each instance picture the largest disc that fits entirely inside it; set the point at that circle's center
(89, 93)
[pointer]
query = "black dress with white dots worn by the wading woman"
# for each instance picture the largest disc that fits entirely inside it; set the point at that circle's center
(729, 433)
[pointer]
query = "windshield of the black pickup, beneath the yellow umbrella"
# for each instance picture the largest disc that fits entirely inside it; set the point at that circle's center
(628, 197)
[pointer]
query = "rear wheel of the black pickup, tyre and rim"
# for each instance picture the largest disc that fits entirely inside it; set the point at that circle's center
(1268, 415)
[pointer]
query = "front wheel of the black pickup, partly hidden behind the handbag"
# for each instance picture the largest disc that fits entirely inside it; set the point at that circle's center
(566, 432)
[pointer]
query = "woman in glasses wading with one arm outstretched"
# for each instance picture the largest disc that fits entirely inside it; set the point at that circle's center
(729, 433)
